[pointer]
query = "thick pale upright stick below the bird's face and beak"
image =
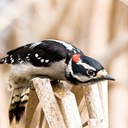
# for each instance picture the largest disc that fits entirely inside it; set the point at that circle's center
(94, 105)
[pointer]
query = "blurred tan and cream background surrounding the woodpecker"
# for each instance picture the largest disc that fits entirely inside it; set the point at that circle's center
(98, 27)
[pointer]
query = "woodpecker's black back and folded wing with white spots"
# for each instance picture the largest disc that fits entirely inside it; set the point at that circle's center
(42, 53)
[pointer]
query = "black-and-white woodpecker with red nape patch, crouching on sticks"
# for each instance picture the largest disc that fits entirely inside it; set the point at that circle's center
(49, 58)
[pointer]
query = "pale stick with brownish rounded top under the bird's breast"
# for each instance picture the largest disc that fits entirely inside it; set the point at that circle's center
(68, 106)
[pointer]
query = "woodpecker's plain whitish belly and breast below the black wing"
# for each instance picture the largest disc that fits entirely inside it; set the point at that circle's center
(55, 71)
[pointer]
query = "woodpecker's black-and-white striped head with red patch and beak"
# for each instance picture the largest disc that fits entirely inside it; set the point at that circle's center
(86, 70)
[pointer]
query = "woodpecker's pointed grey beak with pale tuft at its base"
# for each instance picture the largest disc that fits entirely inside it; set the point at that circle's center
(102, 74)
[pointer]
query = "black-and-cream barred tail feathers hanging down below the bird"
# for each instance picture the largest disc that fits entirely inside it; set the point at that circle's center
(18, 102)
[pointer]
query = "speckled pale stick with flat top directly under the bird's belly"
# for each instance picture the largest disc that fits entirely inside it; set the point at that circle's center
(48, 103)
